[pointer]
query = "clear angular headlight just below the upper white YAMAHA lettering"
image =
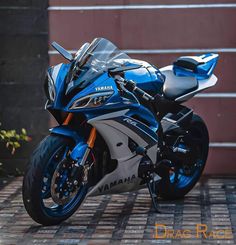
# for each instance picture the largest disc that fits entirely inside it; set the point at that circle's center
(91, 100)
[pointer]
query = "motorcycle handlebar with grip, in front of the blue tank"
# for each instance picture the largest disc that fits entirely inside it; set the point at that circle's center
(131, 86)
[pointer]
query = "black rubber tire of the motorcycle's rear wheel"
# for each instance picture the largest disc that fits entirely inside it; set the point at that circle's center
(169, 190)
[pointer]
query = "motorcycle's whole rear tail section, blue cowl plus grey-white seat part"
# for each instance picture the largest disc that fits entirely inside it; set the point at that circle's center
(188, 76)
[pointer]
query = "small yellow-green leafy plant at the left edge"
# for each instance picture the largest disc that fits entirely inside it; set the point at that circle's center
(12, 139)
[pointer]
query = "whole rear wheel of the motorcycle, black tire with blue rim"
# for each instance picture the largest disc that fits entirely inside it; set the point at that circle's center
(178, 181)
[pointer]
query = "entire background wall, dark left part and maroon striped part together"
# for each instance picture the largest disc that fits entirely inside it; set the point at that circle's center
(151, 30)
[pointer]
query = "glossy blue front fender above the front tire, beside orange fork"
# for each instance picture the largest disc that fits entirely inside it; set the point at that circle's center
(80, 146)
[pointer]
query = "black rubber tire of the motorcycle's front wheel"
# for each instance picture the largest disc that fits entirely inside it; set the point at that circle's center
(37, 183)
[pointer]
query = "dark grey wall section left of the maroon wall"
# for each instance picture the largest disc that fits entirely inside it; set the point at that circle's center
(23, 62)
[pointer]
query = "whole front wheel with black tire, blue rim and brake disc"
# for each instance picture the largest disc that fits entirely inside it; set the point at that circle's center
(50, 195)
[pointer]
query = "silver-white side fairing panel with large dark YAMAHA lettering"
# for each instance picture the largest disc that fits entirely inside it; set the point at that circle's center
(125, 176)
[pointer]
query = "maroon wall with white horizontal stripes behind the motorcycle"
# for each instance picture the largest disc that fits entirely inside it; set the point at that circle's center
(159, 34)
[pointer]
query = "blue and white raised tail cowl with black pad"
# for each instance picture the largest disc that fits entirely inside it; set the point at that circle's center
(200, 67)
